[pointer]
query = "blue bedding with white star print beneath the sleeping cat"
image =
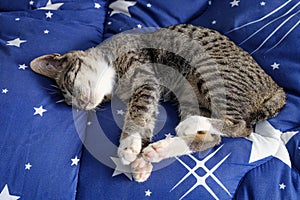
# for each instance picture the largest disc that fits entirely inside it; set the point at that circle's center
(50, 151)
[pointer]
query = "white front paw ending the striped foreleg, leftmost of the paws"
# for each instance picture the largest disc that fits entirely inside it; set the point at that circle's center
(129, 148)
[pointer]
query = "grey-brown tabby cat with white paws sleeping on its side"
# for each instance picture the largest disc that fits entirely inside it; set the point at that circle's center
(219, 88)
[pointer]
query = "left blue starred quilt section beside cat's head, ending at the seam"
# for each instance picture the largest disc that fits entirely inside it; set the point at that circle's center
(40, 145)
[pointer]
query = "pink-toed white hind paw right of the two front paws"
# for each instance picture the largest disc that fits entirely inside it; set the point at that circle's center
(157, 151)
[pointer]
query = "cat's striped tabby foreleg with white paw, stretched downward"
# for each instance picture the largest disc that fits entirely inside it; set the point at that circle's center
(140, 117)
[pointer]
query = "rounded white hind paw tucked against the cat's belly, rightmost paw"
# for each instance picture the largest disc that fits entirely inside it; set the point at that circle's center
(192, 125)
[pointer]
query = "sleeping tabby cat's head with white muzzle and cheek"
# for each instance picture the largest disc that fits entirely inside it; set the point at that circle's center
(84, 80)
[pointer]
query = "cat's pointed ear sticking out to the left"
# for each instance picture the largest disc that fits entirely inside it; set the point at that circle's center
(48, 65)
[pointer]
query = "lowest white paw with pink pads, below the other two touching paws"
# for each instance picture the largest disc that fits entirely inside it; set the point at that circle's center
(141, 169)
